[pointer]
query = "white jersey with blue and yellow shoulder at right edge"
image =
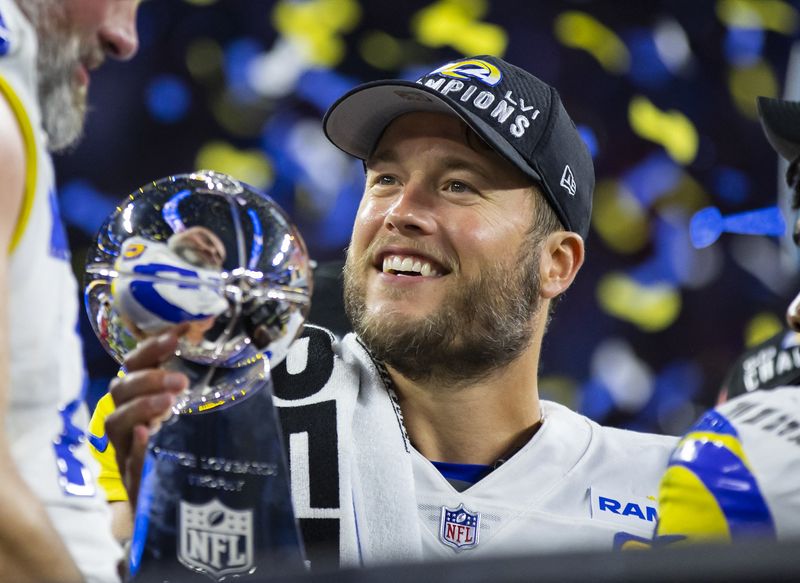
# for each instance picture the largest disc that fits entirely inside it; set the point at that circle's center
(735, 474)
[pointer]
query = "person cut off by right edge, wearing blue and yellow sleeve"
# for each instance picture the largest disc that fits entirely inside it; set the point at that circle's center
(735, 474)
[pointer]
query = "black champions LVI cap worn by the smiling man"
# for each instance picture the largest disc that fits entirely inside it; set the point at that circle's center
(517, 114)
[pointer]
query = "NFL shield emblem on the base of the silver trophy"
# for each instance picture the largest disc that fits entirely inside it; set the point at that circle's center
(215, 539)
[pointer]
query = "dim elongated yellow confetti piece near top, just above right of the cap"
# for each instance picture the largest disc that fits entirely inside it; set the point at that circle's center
(580, 30)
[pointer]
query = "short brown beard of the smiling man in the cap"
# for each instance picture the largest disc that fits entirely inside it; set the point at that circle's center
(479, 328)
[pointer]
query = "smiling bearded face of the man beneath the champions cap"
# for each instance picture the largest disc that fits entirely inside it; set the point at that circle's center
(441, 276)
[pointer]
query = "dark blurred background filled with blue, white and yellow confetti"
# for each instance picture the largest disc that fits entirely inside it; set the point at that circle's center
(664, 92)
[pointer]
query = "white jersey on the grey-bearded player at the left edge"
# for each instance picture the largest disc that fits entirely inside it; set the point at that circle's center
(47, 416)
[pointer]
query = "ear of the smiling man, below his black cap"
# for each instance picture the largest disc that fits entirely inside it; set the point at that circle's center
(561, 258)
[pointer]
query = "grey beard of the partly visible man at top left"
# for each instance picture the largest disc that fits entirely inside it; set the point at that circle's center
(62, 100)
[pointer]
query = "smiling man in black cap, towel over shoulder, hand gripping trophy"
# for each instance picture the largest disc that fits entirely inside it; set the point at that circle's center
(472, 222)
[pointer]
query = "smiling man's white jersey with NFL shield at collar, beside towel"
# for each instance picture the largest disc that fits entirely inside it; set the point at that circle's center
(574, 485)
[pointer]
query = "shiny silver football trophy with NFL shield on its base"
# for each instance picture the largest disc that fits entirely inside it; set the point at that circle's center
(222, 260)
